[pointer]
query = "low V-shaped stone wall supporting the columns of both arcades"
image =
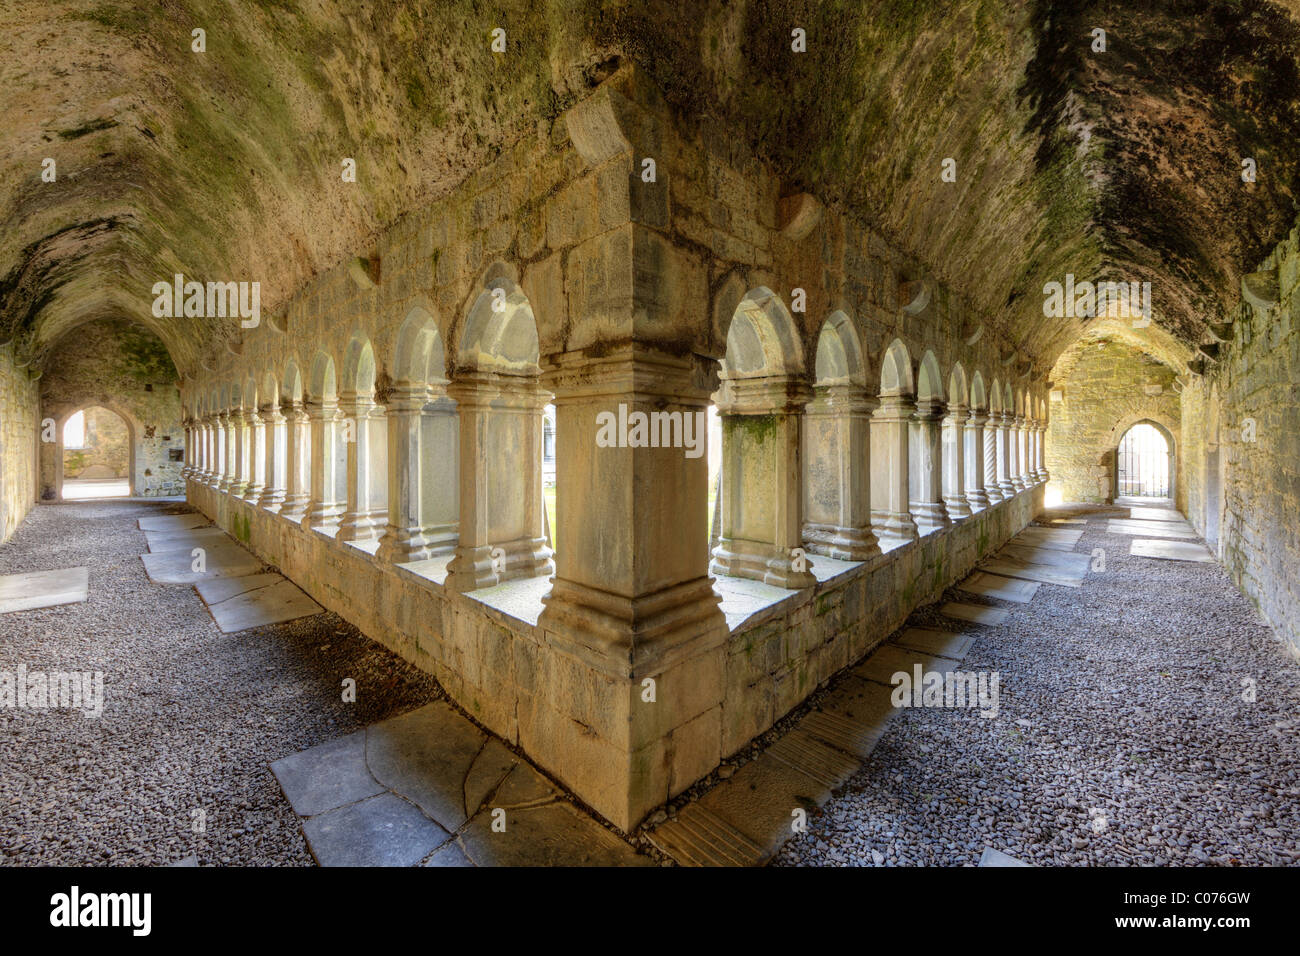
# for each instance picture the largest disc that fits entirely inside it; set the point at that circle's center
(571, 717)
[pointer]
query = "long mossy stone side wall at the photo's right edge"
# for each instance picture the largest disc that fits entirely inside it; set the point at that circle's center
(1243, 495)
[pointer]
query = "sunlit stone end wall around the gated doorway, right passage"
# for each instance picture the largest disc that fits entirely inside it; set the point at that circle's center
(1102, 388)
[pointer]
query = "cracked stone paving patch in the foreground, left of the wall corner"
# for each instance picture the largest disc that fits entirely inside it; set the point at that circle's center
(423, 789)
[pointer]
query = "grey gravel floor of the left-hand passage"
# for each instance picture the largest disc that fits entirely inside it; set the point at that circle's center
(193, 719)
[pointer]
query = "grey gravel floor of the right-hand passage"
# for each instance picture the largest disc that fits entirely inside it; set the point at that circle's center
(1123, 736)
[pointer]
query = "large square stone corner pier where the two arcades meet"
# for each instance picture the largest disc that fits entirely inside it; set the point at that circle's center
(632, 592)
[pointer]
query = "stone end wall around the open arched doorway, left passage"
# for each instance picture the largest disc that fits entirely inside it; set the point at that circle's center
(122, 367)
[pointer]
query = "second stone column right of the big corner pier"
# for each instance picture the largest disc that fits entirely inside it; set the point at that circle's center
(838, 474)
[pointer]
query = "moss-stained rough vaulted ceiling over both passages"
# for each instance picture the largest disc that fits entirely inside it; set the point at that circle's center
(226, 165)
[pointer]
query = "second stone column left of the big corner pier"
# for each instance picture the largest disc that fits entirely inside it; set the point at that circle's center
(423, 474)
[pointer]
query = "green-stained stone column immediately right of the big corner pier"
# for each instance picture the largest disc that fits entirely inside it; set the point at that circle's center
(762, 483)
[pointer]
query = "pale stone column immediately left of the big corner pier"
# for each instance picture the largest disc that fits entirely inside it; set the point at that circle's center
(501, 482)
